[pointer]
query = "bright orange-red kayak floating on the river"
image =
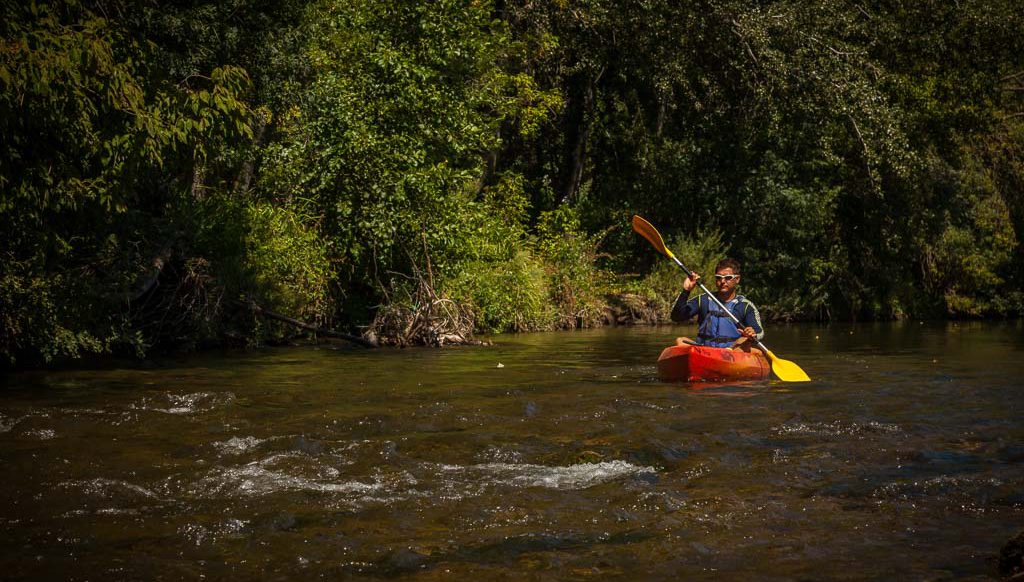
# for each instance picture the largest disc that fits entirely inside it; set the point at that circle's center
(696, 363)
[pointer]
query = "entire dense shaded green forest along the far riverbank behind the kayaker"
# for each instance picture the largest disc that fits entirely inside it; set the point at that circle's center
(413, 173)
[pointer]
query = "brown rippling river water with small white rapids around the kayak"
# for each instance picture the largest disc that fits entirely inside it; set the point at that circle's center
(556, 456)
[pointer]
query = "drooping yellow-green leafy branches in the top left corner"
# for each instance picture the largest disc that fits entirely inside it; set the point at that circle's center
(79, 128)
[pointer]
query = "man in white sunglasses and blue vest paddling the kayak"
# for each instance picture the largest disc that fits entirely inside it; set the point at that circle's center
(715, 328)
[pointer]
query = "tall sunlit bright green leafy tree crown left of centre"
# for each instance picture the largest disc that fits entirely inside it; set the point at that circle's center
(394, 126)
